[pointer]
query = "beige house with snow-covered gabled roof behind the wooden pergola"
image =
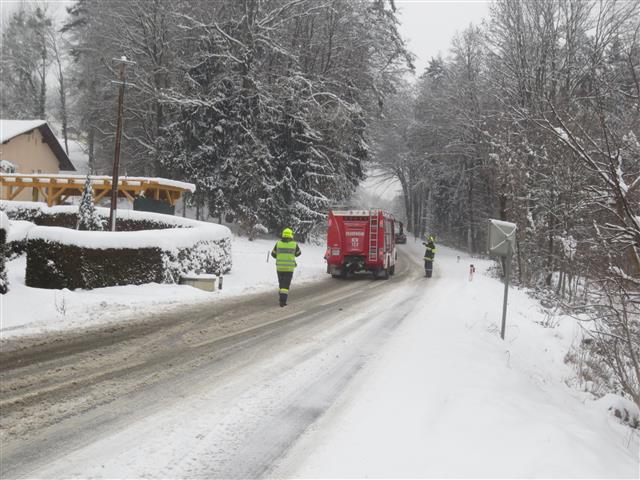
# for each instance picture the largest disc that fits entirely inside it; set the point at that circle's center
(31, 147)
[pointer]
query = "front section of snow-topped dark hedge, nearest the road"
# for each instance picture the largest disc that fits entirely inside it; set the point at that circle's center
(63, 258)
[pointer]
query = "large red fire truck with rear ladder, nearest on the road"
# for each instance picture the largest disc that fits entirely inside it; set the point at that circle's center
(361, 240)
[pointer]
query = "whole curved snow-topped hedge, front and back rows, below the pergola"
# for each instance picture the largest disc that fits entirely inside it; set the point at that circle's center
(156, 248)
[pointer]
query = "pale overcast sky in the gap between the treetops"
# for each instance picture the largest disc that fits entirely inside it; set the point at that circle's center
(428, 26)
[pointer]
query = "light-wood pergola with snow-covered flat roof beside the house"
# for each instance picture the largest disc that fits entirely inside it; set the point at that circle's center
(55, 189)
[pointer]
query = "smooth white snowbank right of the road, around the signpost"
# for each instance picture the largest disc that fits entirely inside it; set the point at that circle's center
(448, 398)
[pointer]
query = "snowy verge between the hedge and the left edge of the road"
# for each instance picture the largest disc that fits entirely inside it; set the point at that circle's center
(27, 311)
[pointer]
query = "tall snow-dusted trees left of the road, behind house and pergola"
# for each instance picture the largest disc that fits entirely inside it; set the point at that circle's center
(265, 105)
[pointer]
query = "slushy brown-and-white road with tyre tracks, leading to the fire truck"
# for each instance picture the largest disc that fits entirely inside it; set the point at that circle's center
(222, 391)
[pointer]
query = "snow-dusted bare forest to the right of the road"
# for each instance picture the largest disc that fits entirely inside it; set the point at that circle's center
(533, 117)
